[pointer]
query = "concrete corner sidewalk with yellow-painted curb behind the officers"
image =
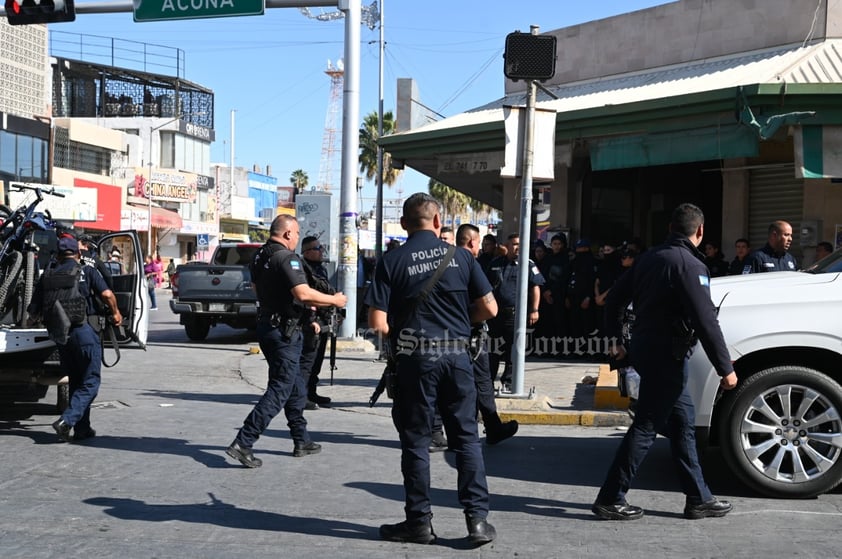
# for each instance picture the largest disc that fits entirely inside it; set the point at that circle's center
(558, 393)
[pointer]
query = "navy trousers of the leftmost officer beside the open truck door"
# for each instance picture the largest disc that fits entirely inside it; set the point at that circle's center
(81, 360)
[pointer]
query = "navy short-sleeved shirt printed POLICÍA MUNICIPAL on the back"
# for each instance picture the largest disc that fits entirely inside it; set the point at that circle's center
(401, 274)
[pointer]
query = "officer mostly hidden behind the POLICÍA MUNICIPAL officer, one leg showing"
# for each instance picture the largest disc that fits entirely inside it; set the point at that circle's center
(467, 237)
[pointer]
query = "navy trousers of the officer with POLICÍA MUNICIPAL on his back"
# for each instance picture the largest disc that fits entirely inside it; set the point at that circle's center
(422, 380)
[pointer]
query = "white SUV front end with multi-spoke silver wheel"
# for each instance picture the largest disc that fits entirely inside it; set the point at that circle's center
(780, 430)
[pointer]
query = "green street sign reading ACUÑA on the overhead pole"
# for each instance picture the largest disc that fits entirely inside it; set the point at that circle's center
(164, 10)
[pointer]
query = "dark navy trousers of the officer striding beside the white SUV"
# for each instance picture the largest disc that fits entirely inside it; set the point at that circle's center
(664, 406)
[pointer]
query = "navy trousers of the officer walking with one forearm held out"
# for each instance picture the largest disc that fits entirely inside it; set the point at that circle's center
(285, 390)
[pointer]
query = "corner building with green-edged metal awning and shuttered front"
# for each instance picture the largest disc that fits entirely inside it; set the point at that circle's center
(705, 101)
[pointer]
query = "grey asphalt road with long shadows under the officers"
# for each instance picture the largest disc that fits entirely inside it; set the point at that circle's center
(155, 482)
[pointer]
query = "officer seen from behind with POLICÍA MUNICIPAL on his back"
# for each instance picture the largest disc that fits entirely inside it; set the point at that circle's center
(433, 365)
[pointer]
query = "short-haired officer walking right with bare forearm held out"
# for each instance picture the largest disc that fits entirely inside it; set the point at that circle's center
(282, 292)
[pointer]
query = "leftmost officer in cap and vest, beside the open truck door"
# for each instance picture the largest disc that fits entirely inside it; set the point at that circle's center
(80, 353)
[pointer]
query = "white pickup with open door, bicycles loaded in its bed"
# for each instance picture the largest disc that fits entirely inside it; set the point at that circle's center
(29, 360)
